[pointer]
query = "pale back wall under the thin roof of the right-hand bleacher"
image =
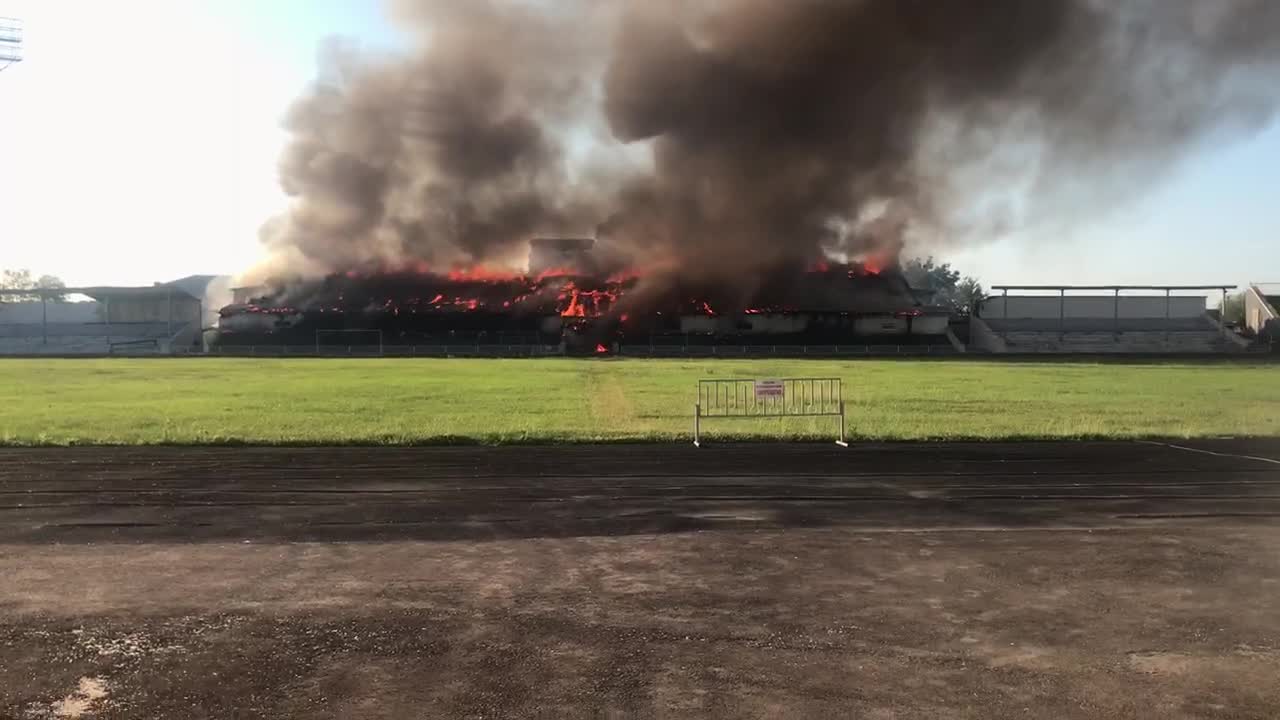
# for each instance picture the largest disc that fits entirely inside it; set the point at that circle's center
(1094, 307)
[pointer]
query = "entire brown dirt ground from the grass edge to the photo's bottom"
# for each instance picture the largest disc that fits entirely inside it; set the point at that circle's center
(897, 581)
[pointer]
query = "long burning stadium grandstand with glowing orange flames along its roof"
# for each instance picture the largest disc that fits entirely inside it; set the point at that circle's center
(584, 311)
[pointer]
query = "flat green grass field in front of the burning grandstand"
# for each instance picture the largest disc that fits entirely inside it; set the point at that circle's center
(433, 402)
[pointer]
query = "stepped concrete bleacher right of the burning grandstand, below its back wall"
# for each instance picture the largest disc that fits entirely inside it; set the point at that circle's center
(1126, 336)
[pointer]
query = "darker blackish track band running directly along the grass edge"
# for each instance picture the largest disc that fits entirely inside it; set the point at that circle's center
(188, 495)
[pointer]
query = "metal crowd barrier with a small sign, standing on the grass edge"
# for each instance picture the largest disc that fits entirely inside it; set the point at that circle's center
(788, 398)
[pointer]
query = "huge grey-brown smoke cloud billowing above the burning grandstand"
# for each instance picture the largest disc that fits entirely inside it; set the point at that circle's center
(723, 140)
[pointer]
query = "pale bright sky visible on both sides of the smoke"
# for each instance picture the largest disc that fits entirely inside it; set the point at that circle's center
(139, 143)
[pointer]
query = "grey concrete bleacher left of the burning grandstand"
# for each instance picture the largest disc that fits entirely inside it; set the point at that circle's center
(88, 339)
